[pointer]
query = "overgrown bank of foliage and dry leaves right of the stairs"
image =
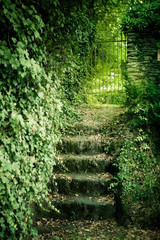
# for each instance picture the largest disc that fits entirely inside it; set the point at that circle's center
(136, 170)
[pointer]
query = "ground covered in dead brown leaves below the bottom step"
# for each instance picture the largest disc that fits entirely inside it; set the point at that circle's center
(91, 230)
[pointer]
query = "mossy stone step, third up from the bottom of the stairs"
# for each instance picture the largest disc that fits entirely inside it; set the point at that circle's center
(98, 163)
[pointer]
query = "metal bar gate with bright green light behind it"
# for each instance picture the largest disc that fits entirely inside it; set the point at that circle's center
(105, 65)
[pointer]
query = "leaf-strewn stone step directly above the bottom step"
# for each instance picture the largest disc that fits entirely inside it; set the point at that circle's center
(89, 184)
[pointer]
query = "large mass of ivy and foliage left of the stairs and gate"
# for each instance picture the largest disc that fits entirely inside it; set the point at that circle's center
(42, 50)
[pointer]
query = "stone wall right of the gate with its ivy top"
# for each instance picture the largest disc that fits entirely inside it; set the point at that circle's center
(141, 24)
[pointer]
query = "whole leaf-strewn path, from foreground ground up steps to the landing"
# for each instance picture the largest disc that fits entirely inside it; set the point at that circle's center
(82, 176)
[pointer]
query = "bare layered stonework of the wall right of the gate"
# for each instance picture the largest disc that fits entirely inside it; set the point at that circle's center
(142, 55)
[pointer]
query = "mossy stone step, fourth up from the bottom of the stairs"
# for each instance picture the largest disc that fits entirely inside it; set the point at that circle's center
(81, 144)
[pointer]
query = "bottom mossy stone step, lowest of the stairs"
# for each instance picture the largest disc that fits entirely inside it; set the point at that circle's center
(79, 207)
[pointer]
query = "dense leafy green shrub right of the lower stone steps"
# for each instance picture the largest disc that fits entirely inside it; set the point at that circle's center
(138, 177)
